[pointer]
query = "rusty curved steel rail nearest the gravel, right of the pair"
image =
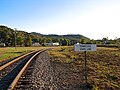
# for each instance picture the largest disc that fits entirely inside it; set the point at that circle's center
(13, 84)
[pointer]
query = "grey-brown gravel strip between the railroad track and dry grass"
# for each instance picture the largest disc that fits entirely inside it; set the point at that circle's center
(47, 75)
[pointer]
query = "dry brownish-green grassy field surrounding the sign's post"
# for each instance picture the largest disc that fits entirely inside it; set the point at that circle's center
(103, 66)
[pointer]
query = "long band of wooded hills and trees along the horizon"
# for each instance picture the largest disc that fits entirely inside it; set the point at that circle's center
(13, 37)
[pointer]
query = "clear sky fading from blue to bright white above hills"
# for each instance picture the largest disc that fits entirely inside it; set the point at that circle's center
(92, 18)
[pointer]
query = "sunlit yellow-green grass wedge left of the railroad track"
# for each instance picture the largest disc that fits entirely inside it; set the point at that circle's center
(11, 52)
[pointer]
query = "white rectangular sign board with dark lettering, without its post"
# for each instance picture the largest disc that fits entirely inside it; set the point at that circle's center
(85, 47)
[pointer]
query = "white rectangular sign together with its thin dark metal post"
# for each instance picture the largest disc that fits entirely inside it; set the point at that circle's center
(84, 48)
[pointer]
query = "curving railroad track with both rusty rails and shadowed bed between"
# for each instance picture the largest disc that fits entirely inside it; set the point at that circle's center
(9, 77)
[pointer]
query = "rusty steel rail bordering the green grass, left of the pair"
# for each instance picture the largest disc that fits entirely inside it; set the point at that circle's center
(15, 60)
